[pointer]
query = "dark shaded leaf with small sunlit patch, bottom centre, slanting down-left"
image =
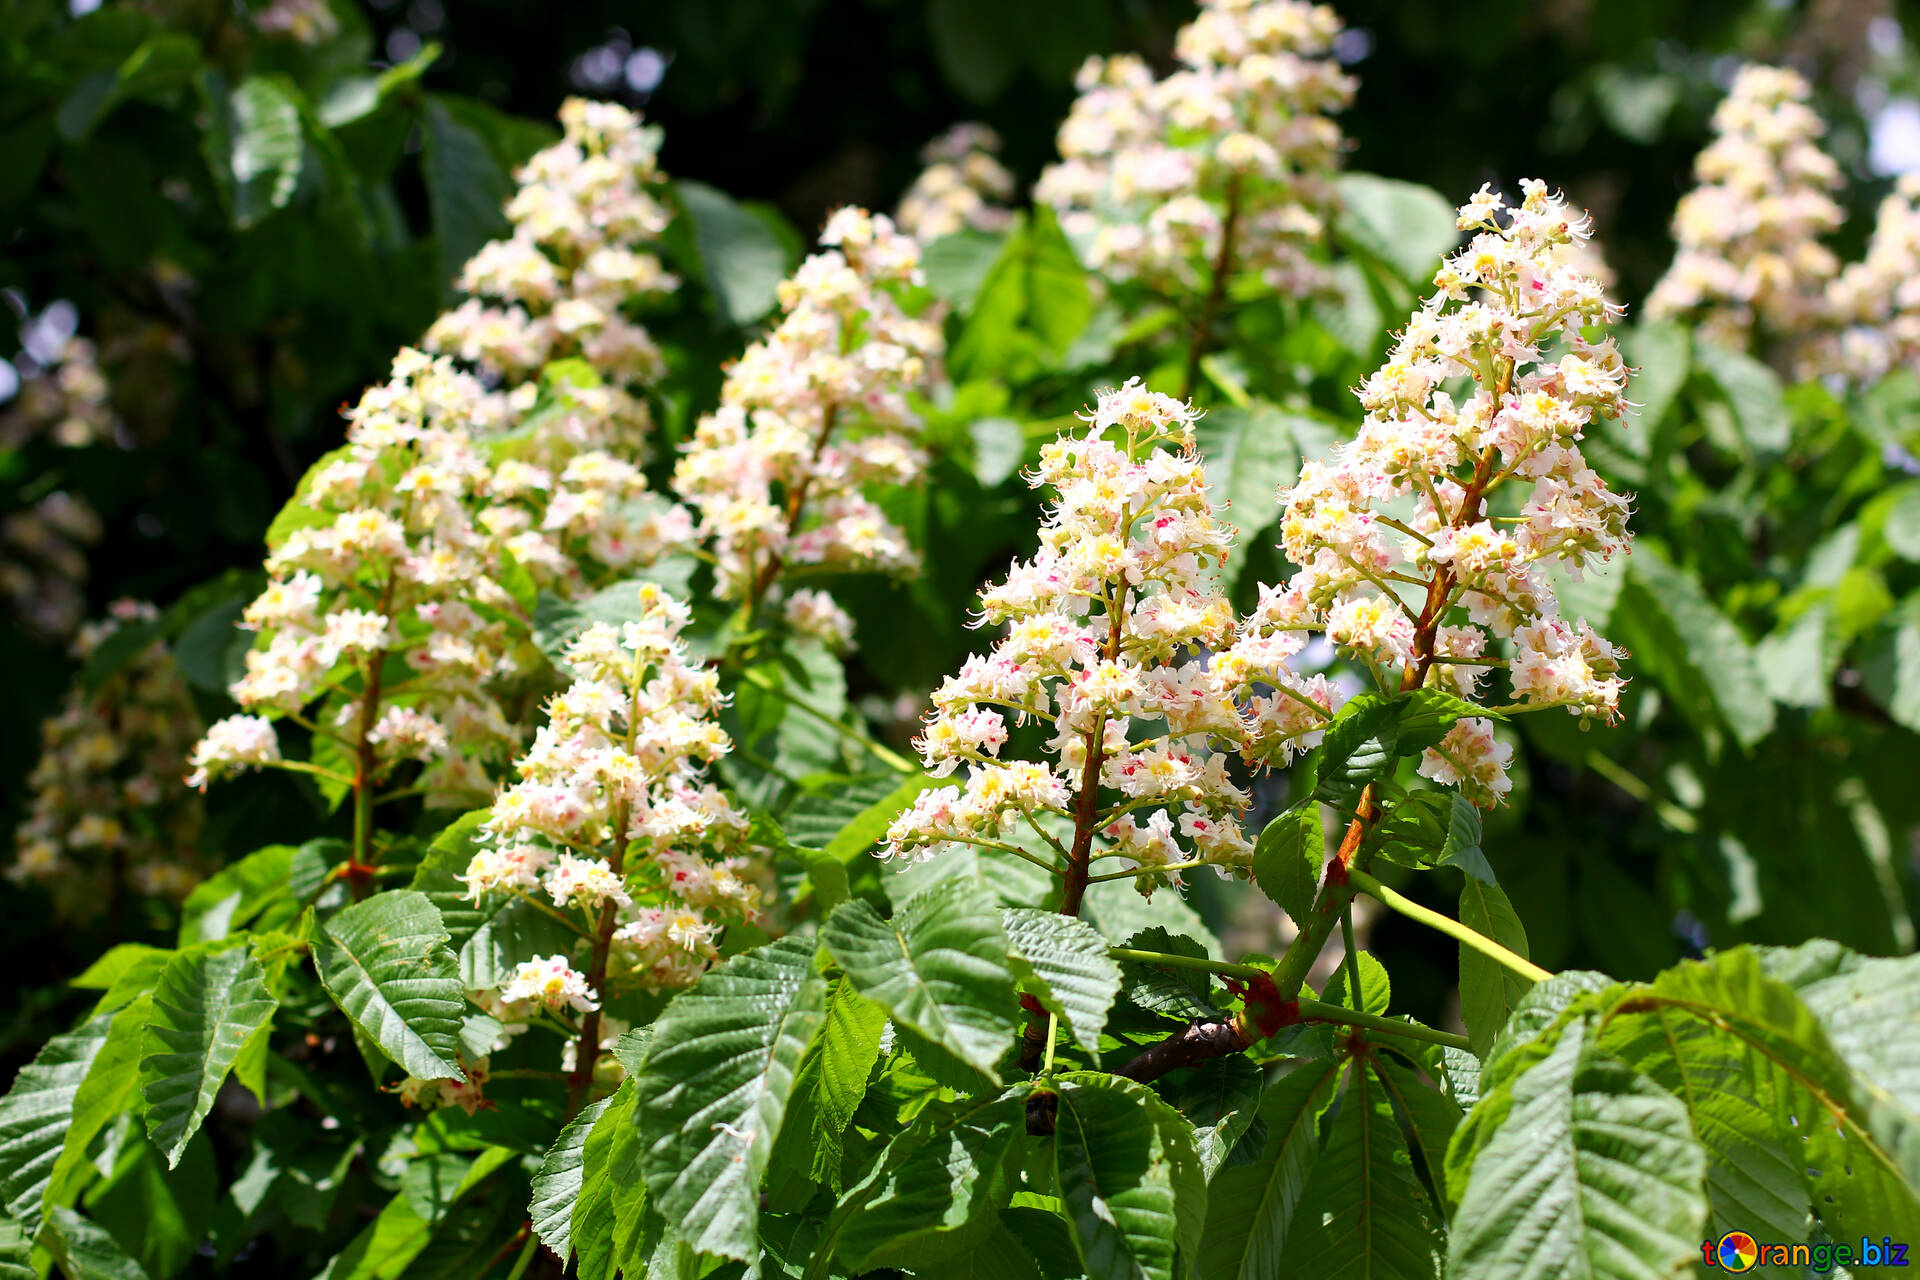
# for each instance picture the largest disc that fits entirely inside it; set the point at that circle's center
(936, 1193)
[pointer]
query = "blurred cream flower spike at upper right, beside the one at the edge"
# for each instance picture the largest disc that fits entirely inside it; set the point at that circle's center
(1750, 264)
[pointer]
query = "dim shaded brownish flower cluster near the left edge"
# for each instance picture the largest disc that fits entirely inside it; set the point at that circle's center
(108, 803)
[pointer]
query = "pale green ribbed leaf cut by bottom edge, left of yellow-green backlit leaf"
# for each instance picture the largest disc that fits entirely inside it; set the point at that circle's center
(1595, 1173)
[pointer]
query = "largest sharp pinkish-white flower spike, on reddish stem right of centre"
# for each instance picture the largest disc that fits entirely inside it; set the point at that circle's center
(1420, 598)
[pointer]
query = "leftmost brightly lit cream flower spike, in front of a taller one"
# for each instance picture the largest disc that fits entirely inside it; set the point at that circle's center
(389, 563)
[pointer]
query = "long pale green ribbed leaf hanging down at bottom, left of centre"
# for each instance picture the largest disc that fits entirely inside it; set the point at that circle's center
(715, 1091)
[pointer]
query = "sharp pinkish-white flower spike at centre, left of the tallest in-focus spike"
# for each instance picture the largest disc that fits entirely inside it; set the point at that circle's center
(1105, 638)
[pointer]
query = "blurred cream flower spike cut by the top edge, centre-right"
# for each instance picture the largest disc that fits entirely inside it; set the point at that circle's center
(1237, 145)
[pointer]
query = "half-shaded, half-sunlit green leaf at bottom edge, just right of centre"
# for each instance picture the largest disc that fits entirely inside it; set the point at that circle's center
(1128, 1179)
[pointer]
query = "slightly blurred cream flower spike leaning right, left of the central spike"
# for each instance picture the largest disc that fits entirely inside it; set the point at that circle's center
(813, 415)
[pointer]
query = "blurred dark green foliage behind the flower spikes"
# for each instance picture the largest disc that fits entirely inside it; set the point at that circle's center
(249, 216)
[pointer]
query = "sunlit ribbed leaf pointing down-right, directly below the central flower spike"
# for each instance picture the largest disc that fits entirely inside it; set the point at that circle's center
(938, 968)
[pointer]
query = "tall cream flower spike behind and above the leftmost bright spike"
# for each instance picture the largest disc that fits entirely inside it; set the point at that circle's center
(577, 262)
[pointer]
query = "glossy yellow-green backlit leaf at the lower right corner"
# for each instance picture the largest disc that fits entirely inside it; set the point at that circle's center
(1762, 1079)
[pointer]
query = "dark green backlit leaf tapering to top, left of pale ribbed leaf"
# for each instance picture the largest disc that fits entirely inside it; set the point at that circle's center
(1362, 1210)
